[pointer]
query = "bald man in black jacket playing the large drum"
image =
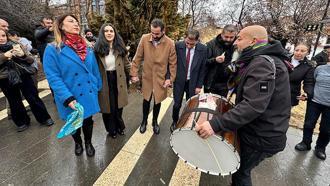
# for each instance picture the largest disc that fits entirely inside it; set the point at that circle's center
(262, 109)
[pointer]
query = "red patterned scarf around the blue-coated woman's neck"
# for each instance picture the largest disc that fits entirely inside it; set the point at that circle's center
(77, 43)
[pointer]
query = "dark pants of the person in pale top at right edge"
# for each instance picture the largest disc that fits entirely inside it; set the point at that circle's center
(313, 112)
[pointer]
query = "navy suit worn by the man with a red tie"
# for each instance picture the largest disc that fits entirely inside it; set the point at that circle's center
(197, 73)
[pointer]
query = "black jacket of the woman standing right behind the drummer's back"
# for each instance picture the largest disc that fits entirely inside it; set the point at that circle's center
(304, 72)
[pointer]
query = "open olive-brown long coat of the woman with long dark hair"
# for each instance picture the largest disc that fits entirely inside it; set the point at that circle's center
(122, 68)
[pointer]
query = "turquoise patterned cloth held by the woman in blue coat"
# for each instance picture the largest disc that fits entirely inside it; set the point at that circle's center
(73, 122)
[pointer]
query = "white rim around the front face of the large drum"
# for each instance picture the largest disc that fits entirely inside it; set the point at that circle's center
(198, 168)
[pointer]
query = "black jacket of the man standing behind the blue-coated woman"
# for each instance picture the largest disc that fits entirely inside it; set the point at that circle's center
(43, 36)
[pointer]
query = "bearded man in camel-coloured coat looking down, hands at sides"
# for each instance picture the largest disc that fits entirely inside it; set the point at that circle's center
(157, 51)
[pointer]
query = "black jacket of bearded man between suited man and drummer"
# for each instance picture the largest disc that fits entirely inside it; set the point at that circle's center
(216, 74)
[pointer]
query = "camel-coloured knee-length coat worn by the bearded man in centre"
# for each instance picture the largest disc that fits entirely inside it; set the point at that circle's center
(156, 61)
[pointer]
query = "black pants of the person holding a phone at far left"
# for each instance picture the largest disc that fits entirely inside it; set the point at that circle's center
(30, 93)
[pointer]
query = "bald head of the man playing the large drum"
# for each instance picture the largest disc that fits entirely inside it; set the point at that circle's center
(251, 35)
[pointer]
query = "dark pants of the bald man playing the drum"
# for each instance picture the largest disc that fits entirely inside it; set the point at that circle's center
(250, 158)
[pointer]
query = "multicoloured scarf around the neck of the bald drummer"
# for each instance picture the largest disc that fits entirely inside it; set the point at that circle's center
(237, 68)
